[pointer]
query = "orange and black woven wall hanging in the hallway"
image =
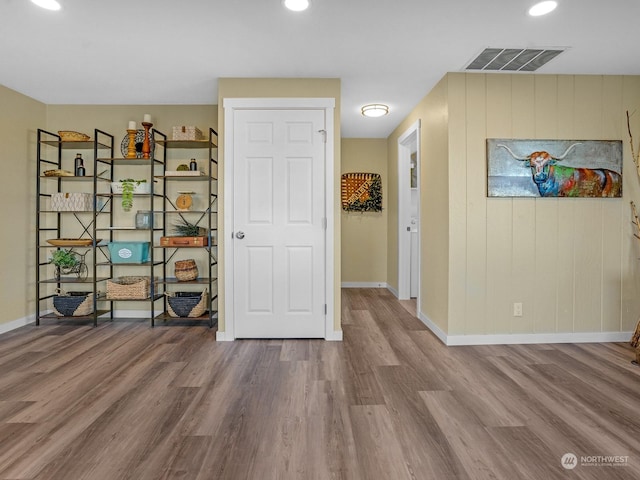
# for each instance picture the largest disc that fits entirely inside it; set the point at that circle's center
(361, 192)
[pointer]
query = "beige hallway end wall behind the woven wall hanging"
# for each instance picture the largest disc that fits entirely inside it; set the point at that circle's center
(364, 234)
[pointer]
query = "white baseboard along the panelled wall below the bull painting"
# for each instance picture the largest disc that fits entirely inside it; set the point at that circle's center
(524, 338)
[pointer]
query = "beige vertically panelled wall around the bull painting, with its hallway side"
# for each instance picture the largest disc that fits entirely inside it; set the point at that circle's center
(571, 262)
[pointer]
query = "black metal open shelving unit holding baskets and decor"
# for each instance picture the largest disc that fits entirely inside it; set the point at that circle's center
(99, 224)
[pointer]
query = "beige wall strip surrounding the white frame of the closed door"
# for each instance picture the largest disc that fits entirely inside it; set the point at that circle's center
(282, 88)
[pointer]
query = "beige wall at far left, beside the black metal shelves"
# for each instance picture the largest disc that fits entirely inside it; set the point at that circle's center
(20, 119)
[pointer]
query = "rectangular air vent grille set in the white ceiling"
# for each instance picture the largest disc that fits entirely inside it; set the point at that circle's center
(513, 59)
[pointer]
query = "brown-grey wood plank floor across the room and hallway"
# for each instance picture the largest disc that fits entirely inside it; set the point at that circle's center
(125, 401)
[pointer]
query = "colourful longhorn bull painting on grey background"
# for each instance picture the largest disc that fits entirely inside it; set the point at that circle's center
(554, 168)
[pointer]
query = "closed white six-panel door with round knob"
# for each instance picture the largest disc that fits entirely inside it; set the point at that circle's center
(278, 224)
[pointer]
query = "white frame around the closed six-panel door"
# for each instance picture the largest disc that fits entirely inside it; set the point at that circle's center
(230, 105)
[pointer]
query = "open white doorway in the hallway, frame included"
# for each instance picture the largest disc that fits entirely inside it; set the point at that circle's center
(409, 214)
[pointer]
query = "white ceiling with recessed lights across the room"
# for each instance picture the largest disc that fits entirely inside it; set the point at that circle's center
(384, 51)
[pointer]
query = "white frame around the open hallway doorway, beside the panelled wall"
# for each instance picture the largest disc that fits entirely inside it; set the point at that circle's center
(410, 137)
